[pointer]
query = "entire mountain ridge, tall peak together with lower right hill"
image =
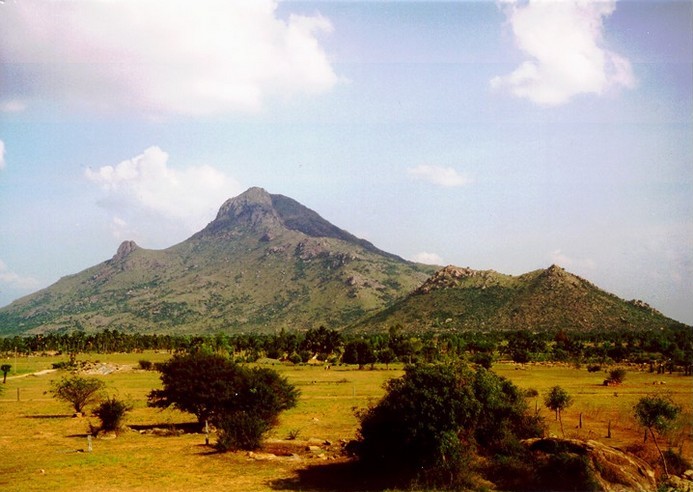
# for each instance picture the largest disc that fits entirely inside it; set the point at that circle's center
(267, 262)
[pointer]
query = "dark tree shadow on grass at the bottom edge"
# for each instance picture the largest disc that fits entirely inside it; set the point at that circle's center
(343, 476)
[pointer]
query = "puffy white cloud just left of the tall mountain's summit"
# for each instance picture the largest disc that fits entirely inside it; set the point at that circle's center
(145, 190)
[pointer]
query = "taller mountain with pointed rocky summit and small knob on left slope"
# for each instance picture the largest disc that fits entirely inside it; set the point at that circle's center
(265, 262)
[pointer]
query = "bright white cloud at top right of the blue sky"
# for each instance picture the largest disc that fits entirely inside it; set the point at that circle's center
(565, 45)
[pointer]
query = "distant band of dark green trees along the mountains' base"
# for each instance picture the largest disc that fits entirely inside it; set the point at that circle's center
(666, 349)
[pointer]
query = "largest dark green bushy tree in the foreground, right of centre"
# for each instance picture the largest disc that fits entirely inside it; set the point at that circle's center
(429, 423)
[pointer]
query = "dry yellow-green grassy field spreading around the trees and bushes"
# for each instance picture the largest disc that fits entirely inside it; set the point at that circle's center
(44, 448)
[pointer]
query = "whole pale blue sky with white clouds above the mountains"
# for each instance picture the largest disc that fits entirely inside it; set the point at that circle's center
(506, 135)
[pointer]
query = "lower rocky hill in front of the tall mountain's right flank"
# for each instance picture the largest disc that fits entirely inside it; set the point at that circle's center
(464, 299)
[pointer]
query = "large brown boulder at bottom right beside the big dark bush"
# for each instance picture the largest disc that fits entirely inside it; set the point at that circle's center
(570, 464)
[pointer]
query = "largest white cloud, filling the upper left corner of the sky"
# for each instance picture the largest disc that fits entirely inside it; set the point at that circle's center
(161, 57)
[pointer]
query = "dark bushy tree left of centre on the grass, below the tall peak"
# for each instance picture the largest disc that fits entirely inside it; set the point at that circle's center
(243, 403)
